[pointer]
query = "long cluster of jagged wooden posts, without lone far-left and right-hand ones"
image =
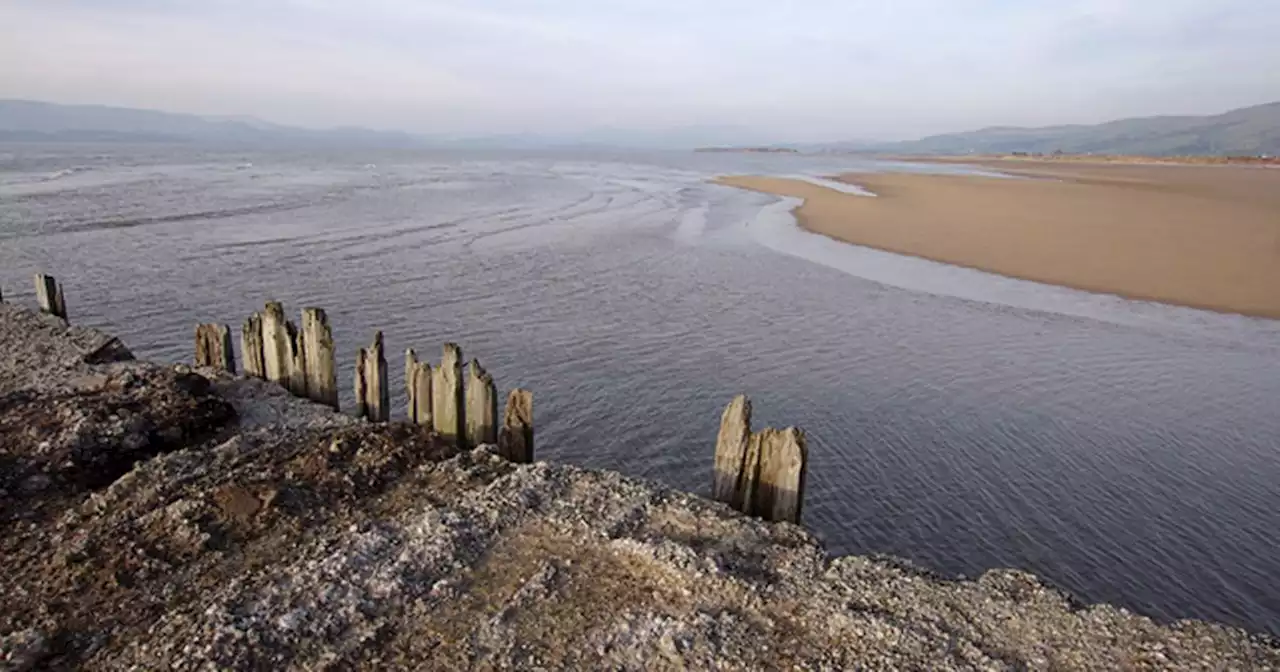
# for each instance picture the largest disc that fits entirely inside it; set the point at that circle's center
(303, 362)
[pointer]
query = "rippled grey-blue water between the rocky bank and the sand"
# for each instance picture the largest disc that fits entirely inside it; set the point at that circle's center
(1127, 451)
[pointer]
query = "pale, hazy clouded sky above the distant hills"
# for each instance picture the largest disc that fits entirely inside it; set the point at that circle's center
(772, 71)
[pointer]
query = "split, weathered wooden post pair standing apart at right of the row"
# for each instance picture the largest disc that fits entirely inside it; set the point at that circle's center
(760, 473)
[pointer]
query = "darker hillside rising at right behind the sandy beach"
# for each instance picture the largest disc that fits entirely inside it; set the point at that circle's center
(1245, 132)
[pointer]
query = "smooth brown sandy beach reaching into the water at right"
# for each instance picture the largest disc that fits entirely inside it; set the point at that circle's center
(1205, 237)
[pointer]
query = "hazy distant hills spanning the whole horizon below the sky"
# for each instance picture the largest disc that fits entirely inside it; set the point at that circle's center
(1245, 132)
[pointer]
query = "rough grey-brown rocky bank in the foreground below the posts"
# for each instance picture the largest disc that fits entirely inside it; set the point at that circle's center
(220, 523)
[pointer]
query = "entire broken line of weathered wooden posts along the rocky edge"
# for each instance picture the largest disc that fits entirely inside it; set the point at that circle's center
(758, 473)
